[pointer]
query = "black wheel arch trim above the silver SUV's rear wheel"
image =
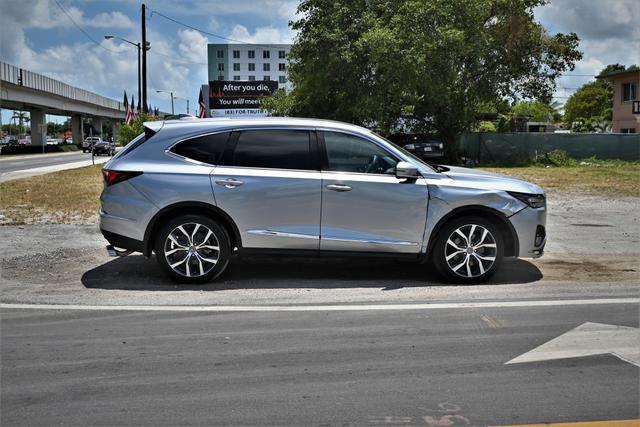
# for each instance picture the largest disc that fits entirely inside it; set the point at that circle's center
(190, 208)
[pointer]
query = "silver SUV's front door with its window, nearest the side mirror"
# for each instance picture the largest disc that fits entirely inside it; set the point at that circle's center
(364, 206)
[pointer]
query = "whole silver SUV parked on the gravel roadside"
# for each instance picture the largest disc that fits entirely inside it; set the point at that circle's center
(197, 192)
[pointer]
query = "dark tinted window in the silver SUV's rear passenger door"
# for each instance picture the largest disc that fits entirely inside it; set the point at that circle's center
(274, 149)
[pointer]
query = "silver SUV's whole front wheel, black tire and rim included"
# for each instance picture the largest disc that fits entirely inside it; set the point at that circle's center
(468, 263)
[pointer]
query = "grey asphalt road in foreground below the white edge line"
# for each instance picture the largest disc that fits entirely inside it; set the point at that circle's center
(399, 367)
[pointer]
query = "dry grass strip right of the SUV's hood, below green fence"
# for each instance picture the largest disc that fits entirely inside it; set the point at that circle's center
(607, 177)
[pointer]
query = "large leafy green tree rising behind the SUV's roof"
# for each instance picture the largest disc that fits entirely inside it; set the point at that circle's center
(428, 63)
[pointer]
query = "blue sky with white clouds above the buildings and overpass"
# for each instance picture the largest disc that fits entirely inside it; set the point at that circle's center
(64, 39)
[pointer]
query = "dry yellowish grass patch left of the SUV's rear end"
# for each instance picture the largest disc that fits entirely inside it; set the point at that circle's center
(65, 197)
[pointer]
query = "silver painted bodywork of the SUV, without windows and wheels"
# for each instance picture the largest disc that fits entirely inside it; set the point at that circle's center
(290, 209)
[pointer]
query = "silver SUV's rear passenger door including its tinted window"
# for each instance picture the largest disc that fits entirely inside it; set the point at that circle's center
(270, 185)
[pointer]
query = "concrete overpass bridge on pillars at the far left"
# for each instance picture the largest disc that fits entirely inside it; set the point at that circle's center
(25, 90)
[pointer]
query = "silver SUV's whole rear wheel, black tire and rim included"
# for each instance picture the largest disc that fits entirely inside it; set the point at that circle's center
(206, 256)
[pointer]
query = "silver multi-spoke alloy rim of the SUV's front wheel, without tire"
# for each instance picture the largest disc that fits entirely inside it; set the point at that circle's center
(470, 251)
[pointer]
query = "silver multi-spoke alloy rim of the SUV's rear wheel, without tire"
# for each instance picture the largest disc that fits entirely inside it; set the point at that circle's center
(192, 250)
